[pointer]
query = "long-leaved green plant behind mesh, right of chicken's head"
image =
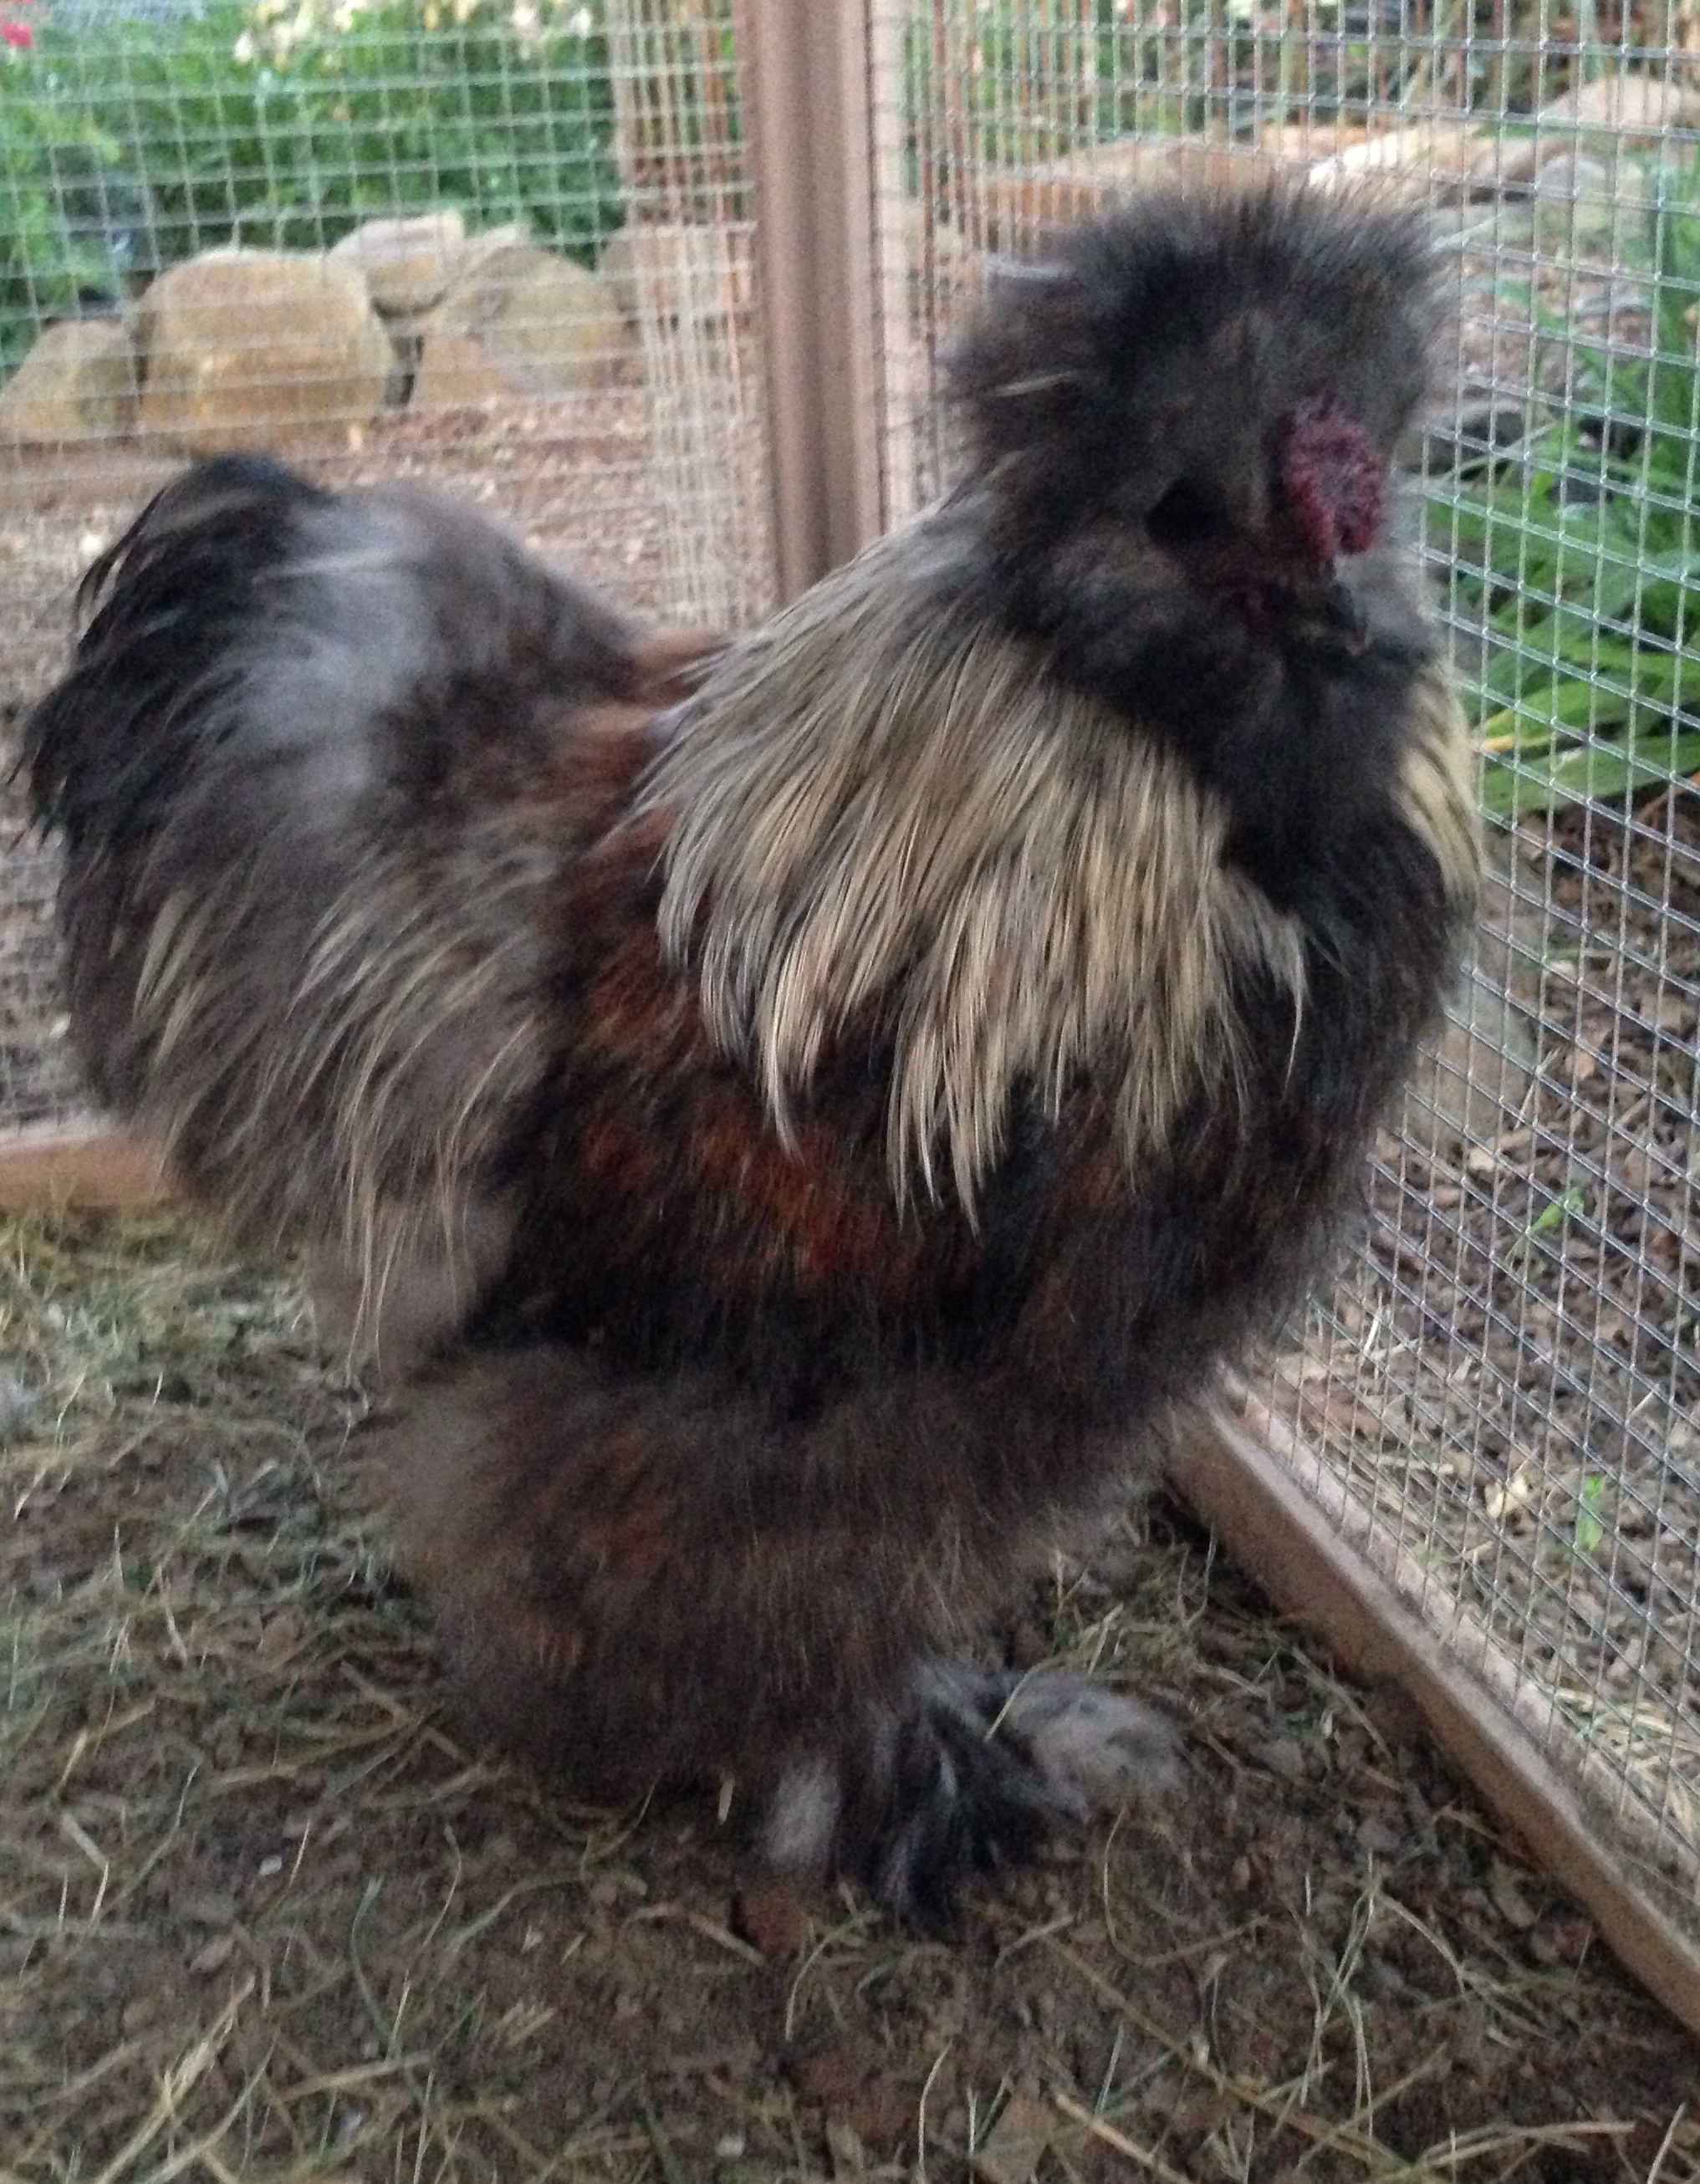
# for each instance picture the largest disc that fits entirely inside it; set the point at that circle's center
(1583, 565)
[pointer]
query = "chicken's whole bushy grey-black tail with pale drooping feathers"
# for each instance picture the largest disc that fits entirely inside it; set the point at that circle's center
(314, 774)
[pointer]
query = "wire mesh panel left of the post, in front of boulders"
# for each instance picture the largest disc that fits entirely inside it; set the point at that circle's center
(495, 244)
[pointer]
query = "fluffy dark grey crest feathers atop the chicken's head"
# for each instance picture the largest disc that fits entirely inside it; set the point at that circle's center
(1205, 311)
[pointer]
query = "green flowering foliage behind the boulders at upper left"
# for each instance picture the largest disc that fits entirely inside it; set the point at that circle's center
(134, 145)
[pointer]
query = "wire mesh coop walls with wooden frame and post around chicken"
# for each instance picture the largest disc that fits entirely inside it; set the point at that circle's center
(670, 281)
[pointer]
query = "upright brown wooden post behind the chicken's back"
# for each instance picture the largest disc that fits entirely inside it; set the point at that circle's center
(810, 130)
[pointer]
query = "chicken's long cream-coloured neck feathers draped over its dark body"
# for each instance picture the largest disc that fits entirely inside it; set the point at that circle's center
(888, 814)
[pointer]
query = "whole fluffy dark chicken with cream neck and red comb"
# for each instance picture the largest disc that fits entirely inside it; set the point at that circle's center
(825, 1121)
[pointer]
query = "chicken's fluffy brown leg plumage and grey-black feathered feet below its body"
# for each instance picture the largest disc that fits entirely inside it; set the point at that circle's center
(652, 1582)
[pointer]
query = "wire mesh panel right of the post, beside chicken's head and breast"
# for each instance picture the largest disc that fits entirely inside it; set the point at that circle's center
(1502, 1401)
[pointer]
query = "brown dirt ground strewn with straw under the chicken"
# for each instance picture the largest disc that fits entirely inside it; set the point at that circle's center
(265, 1916)
